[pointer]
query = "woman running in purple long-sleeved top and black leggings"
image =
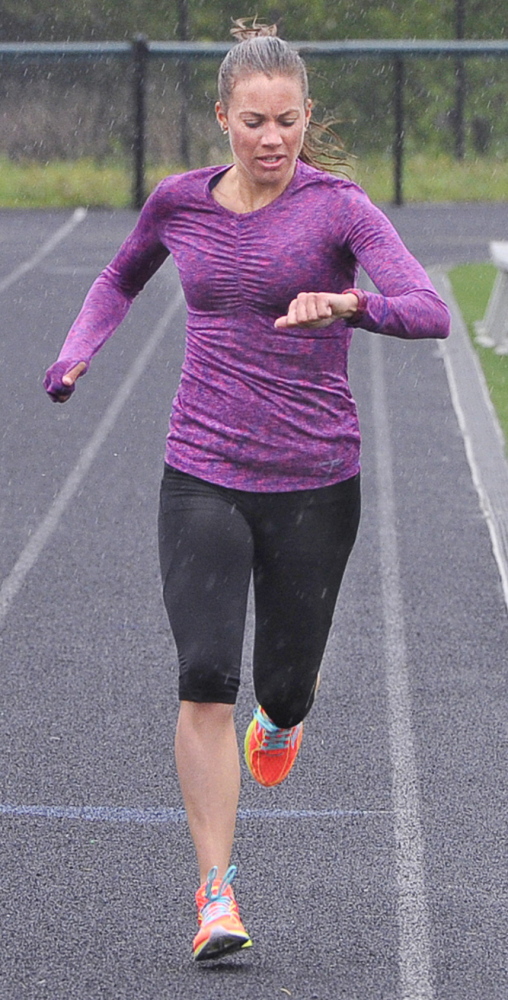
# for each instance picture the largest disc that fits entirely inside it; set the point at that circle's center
(261, 472)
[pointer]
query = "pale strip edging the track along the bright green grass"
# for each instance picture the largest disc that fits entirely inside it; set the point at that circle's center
(479, 426)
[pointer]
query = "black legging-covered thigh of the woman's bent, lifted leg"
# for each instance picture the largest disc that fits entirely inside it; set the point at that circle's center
(300, 559)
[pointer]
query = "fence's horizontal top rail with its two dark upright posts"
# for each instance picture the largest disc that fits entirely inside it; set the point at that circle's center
(140, 51)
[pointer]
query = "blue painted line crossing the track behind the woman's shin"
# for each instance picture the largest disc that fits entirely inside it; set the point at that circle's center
(117, 814)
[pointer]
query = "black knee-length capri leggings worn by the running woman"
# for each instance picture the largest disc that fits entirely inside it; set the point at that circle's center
(296, 545)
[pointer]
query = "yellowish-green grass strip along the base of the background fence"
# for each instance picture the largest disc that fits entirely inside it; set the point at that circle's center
(68, 183)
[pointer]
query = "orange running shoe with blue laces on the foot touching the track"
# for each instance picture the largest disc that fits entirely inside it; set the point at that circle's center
(221, 931)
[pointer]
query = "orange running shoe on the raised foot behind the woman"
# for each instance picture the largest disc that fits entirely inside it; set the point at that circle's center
(270, 752)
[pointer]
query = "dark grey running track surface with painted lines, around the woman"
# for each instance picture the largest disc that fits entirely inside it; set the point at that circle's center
(379, 871)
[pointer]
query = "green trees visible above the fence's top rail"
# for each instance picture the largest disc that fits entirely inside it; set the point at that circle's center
(298, 19)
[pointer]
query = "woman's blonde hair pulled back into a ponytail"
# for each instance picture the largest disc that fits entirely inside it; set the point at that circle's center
(260, 50)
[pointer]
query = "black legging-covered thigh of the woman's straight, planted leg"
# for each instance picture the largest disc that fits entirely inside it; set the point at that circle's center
(206, 551)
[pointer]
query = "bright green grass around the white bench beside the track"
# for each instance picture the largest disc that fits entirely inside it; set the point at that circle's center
(472, 284)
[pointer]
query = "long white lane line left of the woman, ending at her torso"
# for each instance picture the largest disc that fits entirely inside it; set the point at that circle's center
(13, 583)
